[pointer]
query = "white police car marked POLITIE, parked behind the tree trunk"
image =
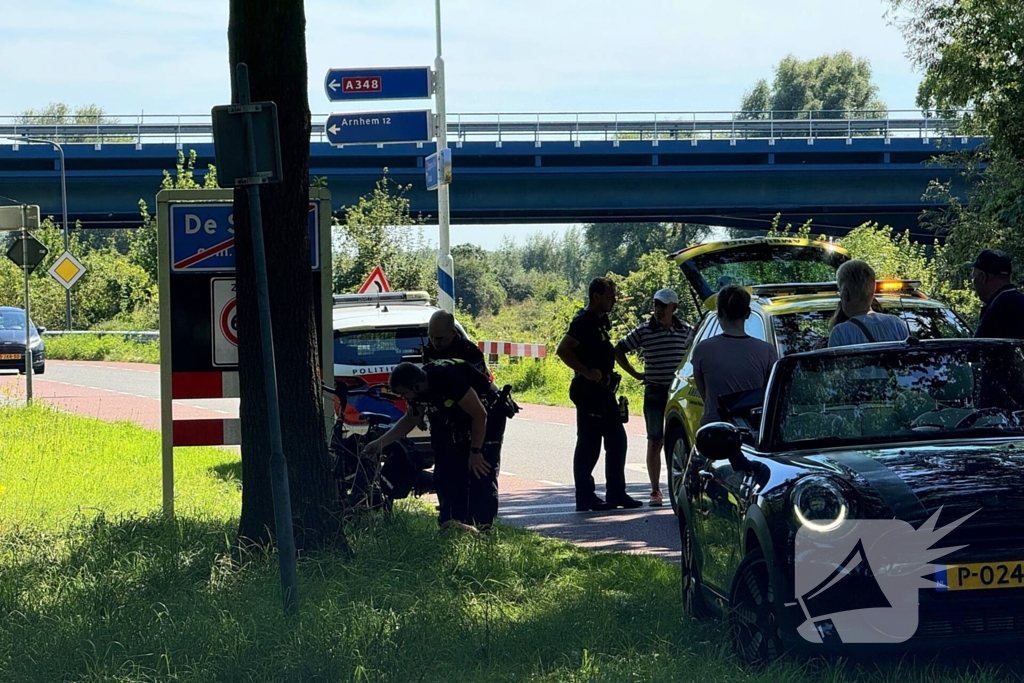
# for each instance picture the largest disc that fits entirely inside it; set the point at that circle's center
(373, 333)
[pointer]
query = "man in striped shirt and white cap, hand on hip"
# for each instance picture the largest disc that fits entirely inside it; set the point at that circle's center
(663, 341)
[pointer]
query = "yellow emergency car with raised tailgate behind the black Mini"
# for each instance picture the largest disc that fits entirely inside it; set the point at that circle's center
(793, 297)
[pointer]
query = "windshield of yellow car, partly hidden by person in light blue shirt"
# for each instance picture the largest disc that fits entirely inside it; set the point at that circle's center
(808, 330)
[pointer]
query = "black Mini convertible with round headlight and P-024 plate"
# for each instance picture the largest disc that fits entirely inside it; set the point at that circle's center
(926, 433)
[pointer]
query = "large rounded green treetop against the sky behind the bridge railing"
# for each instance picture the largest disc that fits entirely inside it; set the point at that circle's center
(837, 86)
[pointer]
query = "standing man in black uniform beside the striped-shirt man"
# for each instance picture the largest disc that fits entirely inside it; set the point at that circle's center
(587, 350)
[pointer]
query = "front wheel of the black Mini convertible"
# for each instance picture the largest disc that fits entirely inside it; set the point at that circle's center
(754, 613)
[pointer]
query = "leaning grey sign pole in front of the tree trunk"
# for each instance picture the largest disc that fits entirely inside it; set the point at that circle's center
(279, 466)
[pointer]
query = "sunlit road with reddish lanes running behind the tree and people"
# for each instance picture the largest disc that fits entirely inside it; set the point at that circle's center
(537, 459)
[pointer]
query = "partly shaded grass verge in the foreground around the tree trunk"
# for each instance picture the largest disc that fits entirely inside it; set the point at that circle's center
(104, 589)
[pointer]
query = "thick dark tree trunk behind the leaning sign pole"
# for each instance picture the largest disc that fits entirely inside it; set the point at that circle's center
(270, 37)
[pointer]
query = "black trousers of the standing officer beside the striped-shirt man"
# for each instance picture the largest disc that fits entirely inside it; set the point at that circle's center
(599, 421)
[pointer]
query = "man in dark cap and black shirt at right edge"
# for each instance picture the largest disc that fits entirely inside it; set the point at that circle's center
(1003, 315)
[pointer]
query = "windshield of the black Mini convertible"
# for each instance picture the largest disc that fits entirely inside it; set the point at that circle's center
(902, 396)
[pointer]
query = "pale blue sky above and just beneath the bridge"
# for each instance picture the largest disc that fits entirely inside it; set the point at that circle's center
(131, 57)
